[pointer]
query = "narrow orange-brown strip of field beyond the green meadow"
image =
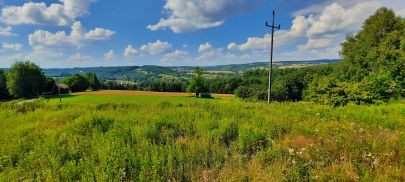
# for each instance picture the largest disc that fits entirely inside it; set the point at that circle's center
(144, 93)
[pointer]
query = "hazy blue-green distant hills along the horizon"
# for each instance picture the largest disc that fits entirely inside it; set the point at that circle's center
(153, 73)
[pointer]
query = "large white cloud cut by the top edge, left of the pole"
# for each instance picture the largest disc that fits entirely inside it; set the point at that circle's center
(190, 15)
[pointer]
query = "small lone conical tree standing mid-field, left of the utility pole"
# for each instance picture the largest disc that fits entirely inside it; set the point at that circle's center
(197, 84)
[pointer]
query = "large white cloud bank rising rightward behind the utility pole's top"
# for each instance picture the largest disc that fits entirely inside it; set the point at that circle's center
(320, 31)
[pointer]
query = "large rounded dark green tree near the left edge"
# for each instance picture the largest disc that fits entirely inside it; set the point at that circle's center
(25, 80)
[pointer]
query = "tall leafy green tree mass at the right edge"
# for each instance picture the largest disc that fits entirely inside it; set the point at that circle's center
(372, 65)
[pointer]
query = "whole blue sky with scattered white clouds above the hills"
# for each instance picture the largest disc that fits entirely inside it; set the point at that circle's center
(90, 33)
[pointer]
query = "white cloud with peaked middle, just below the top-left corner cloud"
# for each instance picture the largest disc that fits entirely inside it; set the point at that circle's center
(77, 37)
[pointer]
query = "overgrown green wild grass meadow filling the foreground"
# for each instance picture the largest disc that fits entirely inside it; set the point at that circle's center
(155, 138)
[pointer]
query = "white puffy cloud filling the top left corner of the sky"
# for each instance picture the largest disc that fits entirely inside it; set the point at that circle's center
(64, 13)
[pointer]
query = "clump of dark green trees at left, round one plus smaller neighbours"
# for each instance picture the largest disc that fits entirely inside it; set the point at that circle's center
(27, 80)
